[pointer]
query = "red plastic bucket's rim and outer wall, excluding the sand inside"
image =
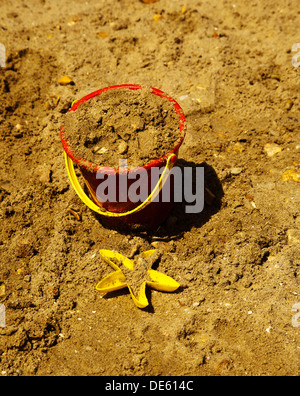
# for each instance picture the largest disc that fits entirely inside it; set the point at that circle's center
(115, 214)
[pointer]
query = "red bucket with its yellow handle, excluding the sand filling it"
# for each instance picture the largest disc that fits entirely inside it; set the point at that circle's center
(116, 214)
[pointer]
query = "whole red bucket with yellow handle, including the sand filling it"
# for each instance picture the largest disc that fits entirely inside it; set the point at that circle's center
(118, 136)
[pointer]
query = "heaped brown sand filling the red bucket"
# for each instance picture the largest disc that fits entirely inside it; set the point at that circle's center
(135, 125)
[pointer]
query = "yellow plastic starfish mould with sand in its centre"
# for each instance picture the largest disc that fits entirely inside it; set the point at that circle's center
(134, 273)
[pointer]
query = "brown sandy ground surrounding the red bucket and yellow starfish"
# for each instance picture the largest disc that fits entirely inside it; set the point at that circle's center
(229, 65)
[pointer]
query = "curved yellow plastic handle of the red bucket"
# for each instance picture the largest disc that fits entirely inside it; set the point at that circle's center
(82, 195)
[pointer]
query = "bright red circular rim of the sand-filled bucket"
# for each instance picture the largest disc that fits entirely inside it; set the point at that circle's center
(92, 167)
